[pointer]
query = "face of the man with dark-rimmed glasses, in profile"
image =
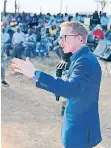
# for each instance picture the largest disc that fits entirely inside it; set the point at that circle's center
(69, 40)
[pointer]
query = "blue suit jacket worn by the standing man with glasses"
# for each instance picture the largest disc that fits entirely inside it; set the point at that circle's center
(81, 125)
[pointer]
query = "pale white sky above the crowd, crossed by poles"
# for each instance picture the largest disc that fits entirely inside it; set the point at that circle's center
(53, 6)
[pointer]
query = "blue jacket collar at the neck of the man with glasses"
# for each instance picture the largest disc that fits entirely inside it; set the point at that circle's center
(79, 53)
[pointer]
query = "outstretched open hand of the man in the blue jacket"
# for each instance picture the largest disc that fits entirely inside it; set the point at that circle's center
(24, 67)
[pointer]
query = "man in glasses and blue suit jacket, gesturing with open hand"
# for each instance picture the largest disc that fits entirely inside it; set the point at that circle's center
(81, 124)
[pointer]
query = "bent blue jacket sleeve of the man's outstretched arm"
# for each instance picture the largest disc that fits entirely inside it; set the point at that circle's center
(74, 86)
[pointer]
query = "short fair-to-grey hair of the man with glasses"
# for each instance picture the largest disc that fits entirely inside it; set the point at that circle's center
(77, 27)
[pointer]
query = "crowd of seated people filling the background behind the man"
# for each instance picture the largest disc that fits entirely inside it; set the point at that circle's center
(38, 34)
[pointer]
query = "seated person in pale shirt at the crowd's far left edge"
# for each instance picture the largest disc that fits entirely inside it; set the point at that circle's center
(4, 40)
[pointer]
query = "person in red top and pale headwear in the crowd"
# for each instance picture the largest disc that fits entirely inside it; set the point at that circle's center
(98, 32)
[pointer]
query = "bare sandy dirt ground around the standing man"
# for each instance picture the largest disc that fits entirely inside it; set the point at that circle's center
(31, 117)
